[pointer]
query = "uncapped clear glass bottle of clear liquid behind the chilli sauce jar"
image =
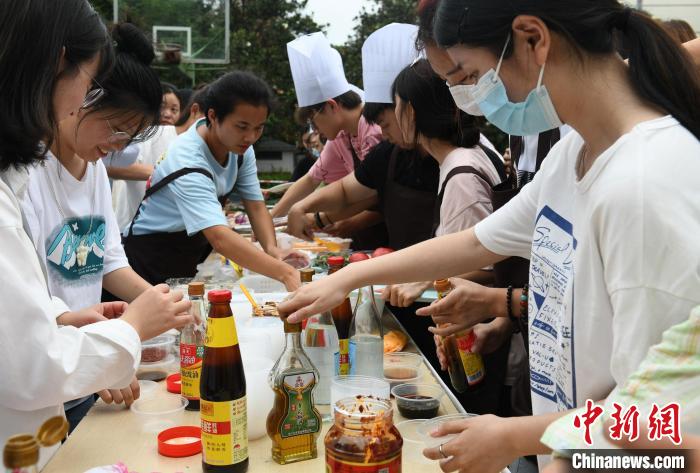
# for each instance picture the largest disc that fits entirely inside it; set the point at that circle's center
(366, 336)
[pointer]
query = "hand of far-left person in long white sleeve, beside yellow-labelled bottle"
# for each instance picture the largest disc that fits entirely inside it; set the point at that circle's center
(158, 310)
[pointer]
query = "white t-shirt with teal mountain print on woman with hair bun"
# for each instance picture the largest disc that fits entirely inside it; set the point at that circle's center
(77, 237)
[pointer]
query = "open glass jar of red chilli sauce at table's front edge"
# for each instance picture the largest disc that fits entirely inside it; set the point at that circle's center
(363, 437)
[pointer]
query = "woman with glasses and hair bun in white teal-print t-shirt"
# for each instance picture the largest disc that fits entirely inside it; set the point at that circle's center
(68, 204)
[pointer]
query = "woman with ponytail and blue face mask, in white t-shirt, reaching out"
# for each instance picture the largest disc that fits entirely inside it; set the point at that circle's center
(610, 223)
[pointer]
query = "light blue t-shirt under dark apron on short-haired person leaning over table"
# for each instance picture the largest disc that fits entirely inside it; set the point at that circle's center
(191, 202)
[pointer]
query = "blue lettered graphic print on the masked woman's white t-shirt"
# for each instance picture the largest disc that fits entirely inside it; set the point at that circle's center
(551, 333)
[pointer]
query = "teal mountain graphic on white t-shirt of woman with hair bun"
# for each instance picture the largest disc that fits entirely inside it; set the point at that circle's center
(75, 249)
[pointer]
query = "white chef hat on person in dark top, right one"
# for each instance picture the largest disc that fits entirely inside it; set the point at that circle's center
(387, 52)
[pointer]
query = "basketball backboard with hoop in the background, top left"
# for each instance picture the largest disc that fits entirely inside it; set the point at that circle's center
(200, 28)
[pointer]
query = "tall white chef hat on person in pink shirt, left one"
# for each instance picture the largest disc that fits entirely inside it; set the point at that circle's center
(317, 70)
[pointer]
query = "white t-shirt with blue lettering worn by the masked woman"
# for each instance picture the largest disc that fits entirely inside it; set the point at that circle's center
(614, 258)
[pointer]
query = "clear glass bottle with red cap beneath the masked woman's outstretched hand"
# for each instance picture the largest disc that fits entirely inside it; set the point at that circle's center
(320, 342)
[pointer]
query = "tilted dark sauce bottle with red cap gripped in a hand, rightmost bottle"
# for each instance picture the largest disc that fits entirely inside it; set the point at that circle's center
(466, 369)
